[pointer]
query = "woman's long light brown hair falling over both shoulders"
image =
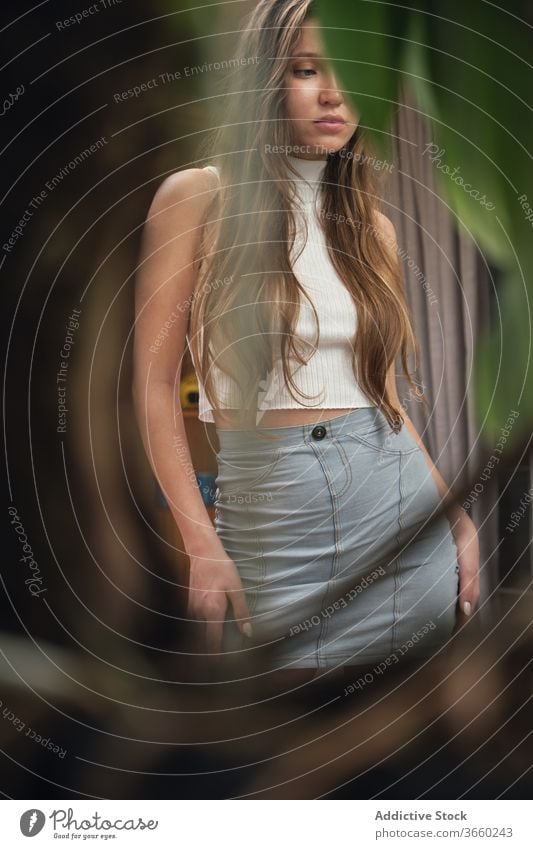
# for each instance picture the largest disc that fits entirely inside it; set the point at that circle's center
(245, 308)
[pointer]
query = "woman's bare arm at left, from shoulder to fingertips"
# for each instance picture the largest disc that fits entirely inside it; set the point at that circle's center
(164, 285)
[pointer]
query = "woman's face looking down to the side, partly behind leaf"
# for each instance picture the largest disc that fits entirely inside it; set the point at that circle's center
(313, 95)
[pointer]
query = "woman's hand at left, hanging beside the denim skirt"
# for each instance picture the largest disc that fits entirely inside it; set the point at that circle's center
(213, 578)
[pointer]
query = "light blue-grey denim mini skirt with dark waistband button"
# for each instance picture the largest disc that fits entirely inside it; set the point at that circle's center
(329, 526)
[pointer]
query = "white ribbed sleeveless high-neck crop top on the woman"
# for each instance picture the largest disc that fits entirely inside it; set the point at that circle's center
(327, 378)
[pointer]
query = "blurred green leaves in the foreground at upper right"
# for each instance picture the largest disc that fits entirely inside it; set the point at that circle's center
(467, 66)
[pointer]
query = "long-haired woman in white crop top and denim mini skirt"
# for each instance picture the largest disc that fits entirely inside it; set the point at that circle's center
(322, 548)
